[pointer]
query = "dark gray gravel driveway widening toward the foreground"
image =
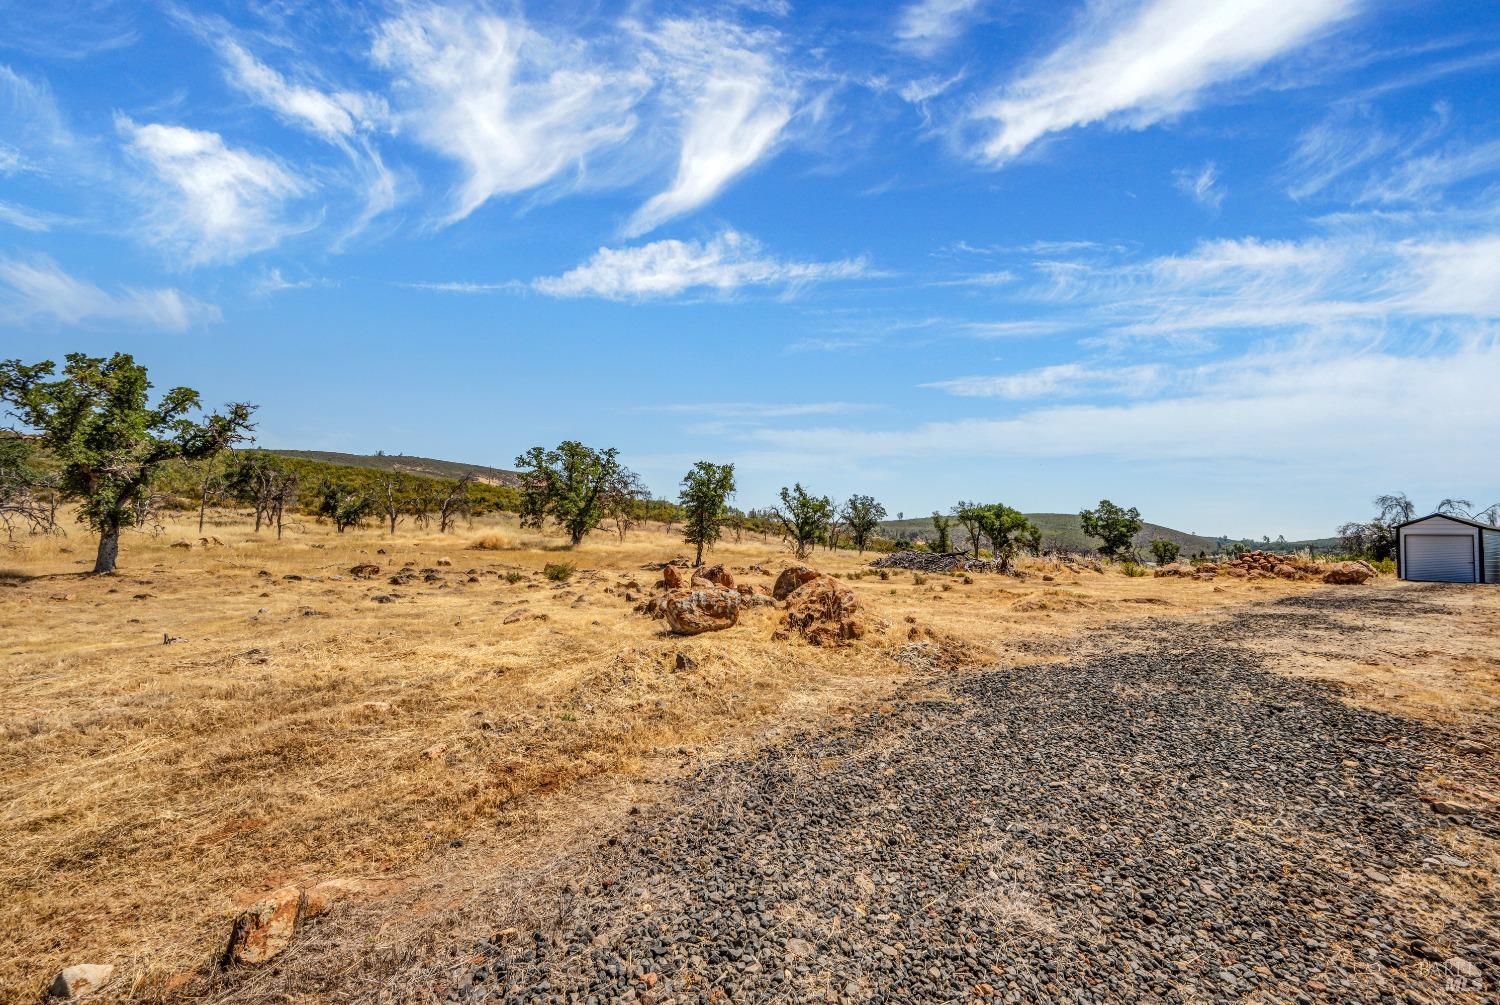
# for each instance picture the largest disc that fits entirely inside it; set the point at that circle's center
(1163, 823)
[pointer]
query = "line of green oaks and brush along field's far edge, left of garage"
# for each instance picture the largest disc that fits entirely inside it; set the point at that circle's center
(98, 442)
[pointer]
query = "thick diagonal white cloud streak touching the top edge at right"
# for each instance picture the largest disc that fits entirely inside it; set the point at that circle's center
(1138, 65)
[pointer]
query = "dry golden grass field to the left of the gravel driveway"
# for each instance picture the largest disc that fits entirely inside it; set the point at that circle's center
(298, 731)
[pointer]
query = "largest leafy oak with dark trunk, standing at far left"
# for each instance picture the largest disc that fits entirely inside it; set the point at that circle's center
(112, 446)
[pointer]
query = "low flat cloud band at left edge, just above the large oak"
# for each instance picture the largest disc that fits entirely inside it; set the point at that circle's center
(40, 292)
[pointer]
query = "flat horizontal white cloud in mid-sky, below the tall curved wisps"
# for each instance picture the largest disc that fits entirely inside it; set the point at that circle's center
(671, 268)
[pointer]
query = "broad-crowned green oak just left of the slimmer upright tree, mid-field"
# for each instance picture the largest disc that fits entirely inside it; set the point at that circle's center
(574, 485)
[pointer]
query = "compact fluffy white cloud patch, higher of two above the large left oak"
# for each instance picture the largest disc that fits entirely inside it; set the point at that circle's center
(209, 202)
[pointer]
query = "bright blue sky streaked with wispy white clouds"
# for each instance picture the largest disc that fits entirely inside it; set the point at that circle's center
(1234, 263)
